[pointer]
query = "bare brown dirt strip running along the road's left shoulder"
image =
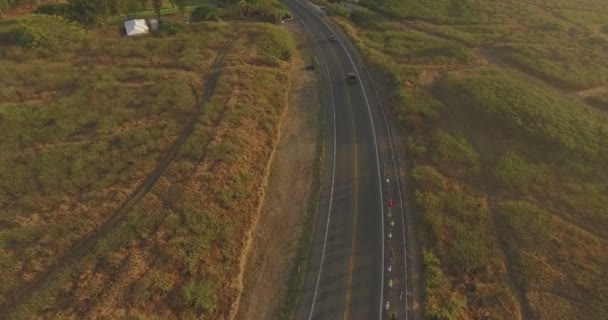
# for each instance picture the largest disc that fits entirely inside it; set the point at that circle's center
(270, 260)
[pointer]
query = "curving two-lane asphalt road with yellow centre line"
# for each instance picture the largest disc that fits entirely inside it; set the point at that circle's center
(347, 273)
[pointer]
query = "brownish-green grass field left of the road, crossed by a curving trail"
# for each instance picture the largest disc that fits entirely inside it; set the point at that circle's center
(149, 130)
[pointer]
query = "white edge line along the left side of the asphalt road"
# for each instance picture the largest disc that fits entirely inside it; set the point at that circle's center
(331, 192)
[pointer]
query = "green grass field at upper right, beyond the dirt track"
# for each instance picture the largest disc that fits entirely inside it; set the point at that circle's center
(556, 40)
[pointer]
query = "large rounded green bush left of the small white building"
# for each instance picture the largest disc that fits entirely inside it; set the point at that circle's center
(49, 32)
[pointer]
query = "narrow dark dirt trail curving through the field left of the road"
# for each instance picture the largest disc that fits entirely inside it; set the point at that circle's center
(85, 245)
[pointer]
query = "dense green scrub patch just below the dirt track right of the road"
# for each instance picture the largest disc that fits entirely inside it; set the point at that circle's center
(525, 110)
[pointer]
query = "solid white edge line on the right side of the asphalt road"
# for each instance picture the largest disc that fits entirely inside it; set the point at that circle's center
(375, 147)
